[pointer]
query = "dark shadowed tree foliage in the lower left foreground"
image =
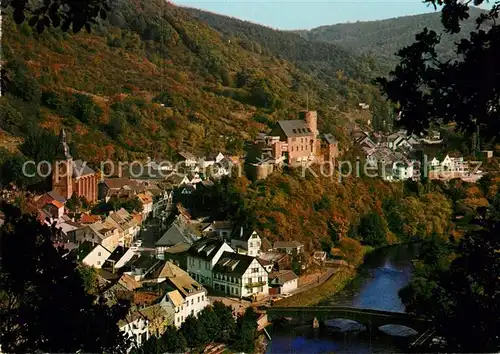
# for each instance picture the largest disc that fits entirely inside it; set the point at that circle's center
(43, 303)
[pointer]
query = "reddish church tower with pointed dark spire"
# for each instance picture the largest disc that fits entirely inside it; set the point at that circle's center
(62, 169)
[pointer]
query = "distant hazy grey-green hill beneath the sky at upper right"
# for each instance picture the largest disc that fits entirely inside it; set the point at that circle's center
(384, 38)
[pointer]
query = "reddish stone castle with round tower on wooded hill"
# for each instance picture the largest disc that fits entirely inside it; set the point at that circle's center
(291, 142)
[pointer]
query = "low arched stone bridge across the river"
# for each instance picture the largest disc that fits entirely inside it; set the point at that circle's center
(367, 317)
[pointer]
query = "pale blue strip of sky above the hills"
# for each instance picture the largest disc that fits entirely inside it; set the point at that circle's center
(295, 14)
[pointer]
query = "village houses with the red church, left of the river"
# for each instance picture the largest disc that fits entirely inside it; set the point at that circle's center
(167, 282)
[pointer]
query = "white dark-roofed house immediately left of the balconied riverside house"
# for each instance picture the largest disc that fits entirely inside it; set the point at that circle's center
(202, 257)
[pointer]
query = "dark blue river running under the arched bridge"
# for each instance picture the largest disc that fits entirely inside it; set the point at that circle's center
(383, 273)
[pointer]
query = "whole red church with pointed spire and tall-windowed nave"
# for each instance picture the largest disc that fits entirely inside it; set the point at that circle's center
(72, 177)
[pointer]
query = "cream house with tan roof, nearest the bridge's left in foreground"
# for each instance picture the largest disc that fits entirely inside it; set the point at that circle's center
(185, 296)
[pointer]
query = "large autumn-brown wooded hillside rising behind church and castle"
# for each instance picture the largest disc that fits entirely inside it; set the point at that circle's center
(108, 87)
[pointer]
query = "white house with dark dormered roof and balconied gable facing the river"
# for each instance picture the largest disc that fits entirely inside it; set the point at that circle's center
(240, 275)
